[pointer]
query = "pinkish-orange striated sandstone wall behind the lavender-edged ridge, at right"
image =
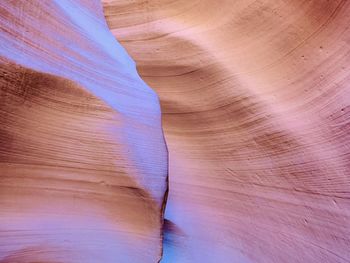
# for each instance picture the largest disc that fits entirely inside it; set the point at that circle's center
(255, 100)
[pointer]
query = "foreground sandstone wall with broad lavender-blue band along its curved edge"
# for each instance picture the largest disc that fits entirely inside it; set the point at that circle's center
(83, 162)
